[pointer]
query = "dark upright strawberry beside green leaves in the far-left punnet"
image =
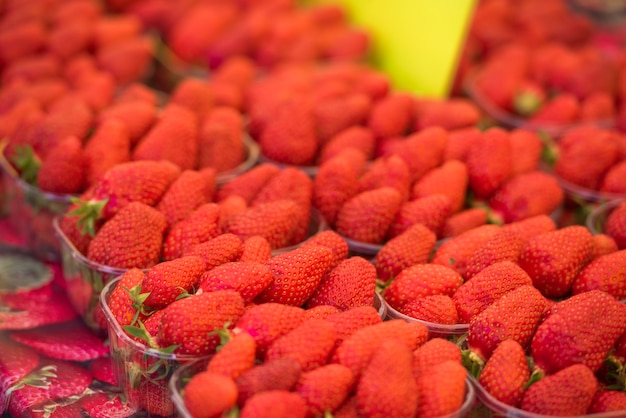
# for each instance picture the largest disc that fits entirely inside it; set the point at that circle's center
(64, 170)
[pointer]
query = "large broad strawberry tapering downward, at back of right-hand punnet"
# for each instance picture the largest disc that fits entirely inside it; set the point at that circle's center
(554, 259)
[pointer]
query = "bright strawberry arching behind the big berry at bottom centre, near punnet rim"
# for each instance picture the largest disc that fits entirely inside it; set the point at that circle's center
(357, 350)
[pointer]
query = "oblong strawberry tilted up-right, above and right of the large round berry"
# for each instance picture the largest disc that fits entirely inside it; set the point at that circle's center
(190, 190)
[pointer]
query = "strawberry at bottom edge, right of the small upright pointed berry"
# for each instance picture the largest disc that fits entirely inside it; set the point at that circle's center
(568, 392)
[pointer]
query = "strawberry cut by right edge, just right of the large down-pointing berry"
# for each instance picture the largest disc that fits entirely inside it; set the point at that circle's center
(606, 273)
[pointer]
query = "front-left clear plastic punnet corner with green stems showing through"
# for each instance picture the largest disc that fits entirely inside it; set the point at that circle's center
(142, 373)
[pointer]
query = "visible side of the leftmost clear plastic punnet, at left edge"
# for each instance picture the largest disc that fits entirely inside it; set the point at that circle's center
(31, 212)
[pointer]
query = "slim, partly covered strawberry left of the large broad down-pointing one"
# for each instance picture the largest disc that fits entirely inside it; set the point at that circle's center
(455, 252)
